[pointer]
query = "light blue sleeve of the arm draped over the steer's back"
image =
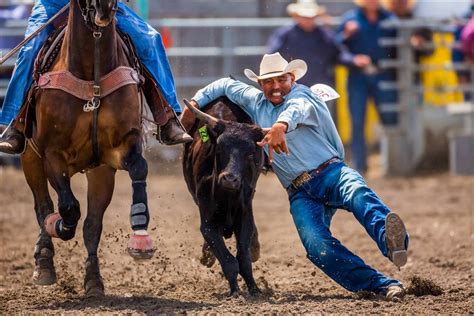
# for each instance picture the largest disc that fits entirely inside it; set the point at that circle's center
(242, 94)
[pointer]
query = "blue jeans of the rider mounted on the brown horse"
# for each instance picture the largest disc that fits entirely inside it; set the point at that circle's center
(147, 42)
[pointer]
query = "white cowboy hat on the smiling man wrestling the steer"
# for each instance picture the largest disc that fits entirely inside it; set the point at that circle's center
(273, 65)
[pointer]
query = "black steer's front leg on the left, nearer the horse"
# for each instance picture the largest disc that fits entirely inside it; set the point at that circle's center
(230, 266)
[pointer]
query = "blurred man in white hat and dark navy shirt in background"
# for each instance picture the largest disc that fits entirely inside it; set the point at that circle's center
(314, 44)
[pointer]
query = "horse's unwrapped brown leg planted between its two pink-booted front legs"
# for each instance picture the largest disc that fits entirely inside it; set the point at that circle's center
(100, 188)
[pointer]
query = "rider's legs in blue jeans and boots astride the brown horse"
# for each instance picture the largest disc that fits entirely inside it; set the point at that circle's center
(150, 51)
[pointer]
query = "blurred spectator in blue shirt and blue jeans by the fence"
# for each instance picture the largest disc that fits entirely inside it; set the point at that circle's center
(360, 31)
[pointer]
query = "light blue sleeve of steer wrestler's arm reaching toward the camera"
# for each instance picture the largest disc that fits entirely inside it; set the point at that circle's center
(298, 112)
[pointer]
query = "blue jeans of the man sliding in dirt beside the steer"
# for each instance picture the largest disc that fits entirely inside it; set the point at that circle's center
(313, 206)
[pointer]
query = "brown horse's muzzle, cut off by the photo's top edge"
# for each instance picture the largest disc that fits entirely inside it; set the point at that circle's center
(99, 13)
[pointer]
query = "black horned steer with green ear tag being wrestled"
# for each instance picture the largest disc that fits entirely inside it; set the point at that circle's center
(221, 167)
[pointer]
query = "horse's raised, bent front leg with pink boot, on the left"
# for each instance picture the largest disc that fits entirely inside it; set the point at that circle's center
(62, 225)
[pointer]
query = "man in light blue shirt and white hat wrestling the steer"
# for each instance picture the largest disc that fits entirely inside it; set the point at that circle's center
(315, 177)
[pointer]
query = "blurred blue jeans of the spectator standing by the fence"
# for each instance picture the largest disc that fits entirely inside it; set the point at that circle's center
(360, 87)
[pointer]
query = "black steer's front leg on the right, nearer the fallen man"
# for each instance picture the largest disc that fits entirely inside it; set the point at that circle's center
(244, 235)
